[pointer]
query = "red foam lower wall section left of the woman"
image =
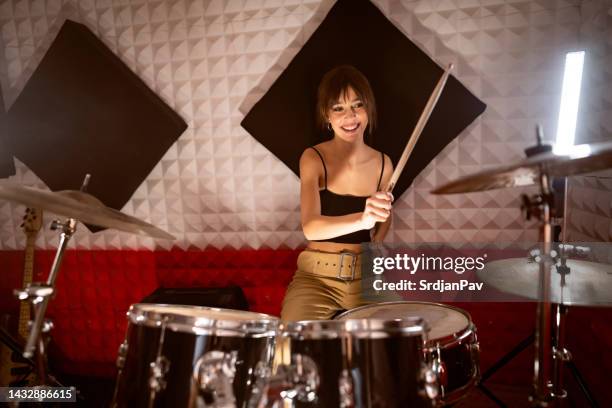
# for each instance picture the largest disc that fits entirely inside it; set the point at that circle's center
(95, 289)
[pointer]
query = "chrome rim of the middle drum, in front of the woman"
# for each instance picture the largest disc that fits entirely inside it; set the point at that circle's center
(360, 328)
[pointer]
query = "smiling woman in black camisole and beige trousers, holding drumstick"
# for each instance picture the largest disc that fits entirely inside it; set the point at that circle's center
(341, 200)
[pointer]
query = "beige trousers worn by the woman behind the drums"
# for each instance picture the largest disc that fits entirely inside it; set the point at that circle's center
(311, 296)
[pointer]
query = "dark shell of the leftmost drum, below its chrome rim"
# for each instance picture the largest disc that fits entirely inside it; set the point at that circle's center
(182, 350)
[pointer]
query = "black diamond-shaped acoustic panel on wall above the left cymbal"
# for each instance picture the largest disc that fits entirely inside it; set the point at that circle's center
(84, 111)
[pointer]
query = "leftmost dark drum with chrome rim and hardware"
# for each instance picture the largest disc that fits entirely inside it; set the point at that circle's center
(188, 356)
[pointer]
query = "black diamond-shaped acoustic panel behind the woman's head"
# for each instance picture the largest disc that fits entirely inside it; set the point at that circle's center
(402, 76)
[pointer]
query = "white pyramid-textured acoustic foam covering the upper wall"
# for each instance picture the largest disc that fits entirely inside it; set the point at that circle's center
(207, 59)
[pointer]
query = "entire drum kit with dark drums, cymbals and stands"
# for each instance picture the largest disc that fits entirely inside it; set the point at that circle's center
(392, 354)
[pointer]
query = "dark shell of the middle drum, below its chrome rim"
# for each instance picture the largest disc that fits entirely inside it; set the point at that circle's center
(386, 372)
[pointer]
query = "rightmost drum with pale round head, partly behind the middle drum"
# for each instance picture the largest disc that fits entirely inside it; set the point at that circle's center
(452, 345)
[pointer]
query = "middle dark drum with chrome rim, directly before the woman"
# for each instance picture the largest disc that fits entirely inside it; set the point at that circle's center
(359, 363)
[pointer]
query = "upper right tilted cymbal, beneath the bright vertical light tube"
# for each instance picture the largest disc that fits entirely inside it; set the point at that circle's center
(583, 158)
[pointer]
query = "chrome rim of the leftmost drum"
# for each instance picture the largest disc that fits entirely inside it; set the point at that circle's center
(140, 314)
